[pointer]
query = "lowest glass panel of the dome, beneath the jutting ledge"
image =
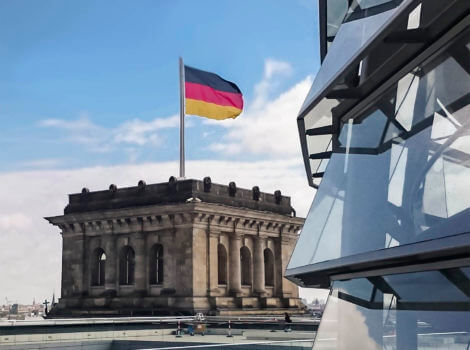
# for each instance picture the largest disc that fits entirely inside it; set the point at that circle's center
(423, 310)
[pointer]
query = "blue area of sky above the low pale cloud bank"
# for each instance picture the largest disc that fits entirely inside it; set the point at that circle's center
(100, 65)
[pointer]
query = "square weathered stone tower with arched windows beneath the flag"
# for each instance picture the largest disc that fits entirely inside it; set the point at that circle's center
(177, 247)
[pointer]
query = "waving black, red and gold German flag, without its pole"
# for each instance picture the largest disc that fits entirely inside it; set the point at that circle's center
(211, 96)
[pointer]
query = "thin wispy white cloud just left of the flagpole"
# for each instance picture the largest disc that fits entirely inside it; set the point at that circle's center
(100, 139)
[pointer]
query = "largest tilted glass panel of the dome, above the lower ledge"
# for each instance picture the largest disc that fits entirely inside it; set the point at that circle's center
(403, 176)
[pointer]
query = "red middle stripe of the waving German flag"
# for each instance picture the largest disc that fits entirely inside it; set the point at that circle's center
(206, 93)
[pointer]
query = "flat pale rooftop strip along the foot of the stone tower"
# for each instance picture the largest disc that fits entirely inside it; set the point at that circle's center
(155, 333)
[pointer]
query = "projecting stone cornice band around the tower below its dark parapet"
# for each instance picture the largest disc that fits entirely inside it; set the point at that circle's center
(220, 218)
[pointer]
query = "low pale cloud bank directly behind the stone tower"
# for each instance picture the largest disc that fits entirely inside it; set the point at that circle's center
(30, 262)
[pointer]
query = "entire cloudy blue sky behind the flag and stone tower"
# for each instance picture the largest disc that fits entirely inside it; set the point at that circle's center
(89, 96)
